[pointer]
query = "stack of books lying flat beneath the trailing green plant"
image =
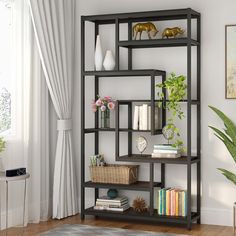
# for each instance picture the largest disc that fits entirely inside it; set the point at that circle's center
(165, 151)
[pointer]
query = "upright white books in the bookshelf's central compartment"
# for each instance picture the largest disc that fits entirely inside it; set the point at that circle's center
(142, 117)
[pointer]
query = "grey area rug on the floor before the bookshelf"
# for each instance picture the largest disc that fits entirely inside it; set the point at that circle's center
(88, 230)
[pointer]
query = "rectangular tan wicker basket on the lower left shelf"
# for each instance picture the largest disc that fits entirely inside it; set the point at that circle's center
(114, 174)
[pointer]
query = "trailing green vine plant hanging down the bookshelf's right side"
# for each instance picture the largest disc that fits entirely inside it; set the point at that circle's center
(176, 87)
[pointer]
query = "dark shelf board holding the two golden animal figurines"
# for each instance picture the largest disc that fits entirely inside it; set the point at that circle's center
(152, 43)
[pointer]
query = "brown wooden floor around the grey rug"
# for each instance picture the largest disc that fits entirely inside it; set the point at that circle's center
(199, 230)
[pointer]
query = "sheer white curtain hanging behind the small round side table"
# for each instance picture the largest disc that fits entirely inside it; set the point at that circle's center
(29, 145)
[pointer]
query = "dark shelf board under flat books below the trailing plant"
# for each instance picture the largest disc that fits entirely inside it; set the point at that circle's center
(148, 159)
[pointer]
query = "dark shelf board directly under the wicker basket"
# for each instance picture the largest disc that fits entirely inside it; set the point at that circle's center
(138, 186)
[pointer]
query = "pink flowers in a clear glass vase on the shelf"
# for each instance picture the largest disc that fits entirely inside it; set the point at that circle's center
(104, 105)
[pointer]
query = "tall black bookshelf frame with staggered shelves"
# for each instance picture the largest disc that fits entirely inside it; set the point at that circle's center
(129, 18)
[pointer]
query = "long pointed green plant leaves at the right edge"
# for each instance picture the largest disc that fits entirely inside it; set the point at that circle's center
(228, 137)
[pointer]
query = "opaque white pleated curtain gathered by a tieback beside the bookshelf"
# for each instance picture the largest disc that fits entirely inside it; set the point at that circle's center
(54, 29)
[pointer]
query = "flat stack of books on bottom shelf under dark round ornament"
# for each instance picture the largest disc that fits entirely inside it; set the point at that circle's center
(112, 204)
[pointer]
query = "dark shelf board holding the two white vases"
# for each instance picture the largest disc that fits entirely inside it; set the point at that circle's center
(121, 73)
